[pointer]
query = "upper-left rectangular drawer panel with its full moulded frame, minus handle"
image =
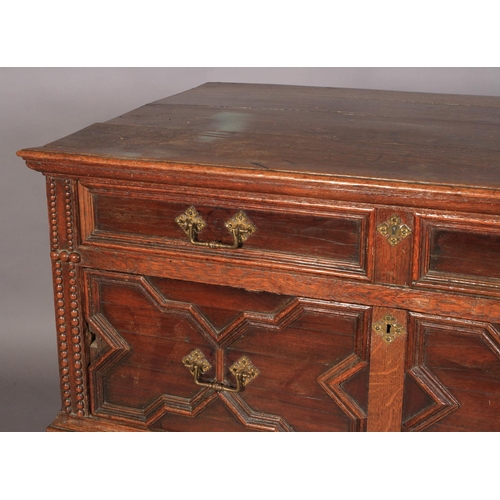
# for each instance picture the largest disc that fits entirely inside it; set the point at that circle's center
(287, 233)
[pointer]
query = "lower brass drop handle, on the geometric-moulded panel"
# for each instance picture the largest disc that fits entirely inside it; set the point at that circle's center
(243, 370)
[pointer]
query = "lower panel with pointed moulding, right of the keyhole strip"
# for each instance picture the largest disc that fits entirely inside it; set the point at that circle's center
(452, 380)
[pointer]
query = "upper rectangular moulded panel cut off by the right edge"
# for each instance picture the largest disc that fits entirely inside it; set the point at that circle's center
(458, 253)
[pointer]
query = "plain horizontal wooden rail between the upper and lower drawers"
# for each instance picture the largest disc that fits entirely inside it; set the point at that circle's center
(219, 269)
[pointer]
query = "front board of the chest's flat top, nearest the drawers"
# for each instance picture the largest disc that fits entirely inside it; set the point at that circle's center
(380, 159)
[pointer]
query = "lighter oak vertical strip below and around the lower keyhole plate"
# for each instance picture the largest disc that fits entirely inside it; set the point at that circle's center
(385, 397)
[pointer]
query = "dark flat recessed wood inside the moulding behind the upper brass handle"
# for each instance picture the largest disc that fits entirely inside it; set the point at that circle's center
(293, 235)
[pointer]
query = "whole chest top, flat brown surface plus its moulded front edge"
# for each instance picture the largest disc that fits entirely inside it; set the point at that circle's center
(398, 147)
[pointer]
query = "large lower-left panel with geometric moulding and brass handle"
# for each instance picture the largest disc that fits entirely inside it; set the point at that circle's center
(304, 361)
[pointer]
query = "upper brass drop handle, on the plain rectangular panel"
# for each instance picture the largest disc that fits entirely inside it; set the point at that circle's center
(239, 226)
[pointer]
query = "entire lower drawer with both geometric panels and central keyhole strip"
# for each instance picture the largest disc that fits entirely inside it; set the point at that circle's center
(175, 355)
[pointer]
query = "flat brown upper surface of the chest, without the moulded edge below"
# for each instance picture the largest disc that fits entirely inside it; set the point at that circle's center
(431, 138)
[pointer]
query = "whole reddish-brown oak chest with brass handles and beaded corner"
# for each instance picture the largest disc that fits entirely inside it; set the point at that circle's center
(279, 258)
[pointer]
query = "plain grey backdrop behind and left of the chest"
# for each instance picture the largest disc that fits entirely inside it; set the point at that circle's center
(39, 105)
